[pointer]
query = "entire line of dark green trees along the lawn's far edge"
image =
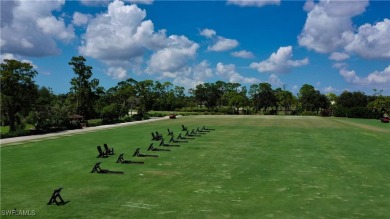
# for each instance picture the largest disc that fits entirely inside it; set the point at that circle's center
(23, 101)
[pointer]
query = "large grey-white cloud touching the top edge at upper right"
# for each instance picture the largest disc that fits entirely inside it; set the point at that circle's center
(327, 21)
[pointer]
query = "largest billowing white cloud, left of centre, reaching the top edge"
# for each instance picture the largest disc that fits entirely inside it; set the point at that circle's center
(120, 34)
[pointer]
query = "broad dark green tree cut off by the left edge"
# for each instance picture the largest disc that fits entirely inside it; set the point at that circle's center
(18, 91)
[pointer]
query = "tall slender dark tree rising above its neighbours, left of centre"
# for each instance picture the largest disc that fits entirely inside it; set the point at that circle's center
(84, 90)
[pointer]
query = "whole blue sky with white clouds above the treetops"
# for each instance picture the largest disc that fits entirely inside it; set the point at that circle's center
(332, 45)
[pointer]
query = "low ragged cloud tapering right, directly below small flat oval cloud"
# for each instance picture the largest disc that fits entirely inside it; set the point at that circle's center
(229, 72)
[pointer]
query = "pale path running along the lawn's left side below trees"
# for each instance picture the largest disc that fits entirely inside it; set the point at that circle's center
(7, 141)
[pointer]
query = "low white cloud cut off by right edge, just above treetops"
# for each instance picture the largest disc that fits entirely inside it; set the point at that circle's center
(381, 78)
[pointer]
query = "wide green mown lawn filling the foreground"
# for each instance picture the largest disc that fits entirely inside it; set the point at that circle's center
(249, 167)
